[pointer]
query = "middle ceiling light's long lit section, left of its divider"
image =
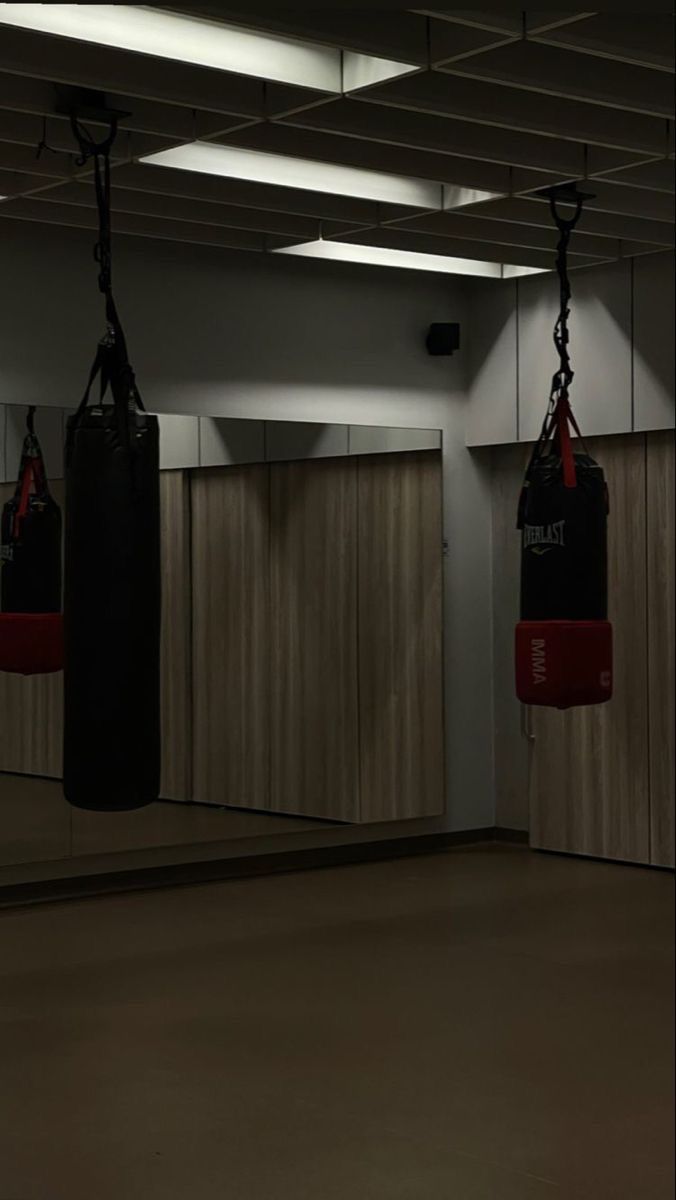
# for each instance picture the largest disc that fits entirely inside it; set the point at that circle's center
(302, 173)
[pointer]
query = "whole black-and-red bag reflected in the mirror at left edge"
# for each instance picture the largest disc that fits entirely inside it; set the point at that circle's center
(32, 625)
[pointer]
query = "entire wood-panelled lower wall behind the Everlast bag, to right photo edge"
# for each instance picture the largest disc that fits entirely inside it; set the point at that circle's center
(602, 778)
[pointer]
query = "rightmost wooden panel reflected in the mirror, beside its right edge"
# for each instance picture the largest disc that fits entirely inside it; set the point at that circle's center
(400, 637)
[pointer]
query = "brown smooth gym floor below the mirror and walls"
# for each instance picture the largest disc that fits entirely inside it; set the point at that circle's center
(480, 1025)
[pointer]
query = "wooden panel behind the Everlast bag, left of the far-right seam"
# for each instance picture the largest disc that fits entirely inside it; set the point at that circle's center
(590, 766)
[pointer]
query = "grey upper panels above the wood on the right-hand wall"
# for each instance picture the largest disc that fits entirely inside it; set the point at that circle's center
(621, 350)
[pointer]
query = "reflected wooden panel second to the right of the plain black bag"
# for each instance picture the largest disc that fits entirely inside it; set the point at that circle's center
(231, 637)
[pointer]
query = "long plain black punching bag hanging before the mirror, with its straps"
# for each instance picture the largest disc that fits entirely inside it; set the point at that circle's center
(112, 579)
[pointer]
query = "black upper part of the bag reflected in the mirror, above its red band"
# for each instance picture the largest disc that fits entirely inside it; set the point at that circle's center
(32, 541)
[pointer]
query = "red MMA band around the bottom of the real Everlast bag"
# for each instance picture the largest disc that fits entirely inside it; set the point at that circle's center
(563, 664)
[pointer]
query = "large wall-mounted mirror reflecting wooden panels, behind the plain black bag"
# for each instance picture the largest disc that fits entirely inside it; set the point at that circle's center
(302, 644)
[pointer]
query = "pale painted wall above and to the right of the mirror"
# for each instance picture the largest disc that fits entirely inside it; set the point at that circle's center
(255, 337)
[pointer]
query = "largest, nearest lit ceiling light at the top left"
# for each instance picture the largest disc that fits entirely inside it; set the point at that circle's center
(208, 44)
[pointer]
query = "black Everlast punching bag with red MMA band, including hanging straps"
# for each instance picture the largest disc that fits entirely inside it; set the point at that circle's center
(564, 650)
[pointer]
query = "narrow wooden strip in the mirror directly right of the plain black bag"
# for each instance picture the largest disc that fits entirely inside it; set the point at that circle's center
(176, 650)
